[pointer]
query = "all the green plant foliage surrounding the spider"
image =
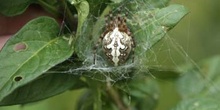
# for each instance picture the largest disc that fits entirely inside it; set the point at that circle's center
(39, 62)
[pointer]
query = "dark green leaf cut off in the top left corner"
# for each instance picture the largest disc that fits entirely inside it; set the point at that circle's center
(14, 7)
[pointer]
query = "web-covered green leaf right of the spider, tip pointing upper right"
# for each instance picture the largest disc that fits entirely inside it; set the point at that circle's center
(151, 26)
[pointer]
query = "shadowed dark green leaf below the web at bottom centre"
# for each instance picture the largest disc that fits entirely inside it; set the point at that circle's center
(140, 93)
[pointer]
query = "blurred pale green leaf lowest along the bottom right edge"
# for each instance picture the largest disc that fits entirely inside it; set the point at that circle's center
(204, 103)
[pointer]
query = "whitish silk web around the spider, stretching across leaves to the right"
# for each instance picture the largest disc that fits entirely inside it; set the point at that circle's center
(167, 53)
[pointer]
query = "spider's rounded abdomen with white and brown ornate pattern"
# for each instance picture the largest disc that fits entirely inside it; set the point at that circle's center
(117, 46)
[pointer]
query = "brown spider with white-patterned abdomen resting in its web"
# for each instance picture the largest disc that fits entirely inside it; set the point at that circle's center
(117, 42)
